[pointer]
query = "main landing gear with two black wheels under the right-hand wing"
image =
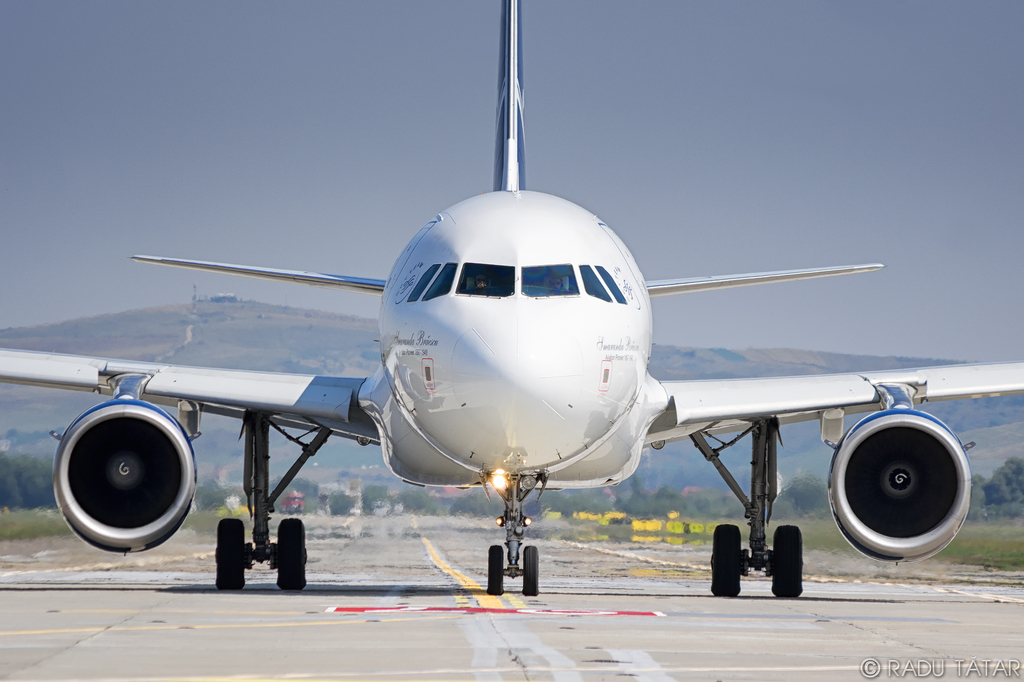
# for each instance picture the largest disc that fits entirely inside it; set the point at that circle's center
(784, 564)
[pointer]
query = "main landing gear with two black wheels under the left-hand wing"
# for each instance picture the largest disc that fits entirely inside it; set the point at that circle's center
(288, 556)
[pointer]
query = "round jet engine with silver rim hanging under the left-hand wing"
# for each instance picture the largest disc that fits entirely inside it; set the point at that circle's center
(124, 476)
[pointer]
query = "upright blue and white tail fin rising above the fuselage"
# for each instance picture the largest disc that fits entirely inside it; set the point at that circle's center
(510, 151)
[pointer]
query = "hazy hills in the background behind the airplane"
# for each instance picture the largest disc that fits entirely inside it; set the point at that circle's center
(275, 338)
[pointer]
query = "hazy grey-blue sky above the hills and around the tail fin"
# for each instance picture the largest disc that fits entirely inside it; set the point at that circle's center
(714, 138)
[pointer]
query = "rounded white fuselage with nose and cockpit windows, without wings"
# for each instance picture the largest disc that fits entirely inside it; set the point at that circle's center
(519, 378)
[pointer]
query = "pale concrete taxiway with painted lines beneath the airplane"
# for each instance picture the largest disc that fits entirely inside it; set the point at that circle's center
(400, 600)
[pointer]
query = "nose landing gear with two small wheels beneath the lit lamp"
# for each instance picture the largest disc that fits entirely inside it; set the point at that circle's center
(515, 489)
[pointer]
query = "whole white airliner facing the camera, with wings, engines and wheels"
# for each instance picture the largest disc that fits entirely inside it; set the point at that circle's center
(516, 335)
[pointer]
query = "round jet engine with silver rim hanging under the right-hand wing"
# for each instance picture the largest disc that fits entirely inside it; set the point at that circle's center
(900, 486)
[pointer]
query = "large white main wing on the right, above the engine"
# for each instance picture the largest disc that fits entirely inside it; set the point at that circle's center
(722, 406)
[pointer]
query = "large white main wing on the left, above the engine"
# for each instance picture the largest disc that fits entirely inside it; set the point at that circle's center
(292, 399)
